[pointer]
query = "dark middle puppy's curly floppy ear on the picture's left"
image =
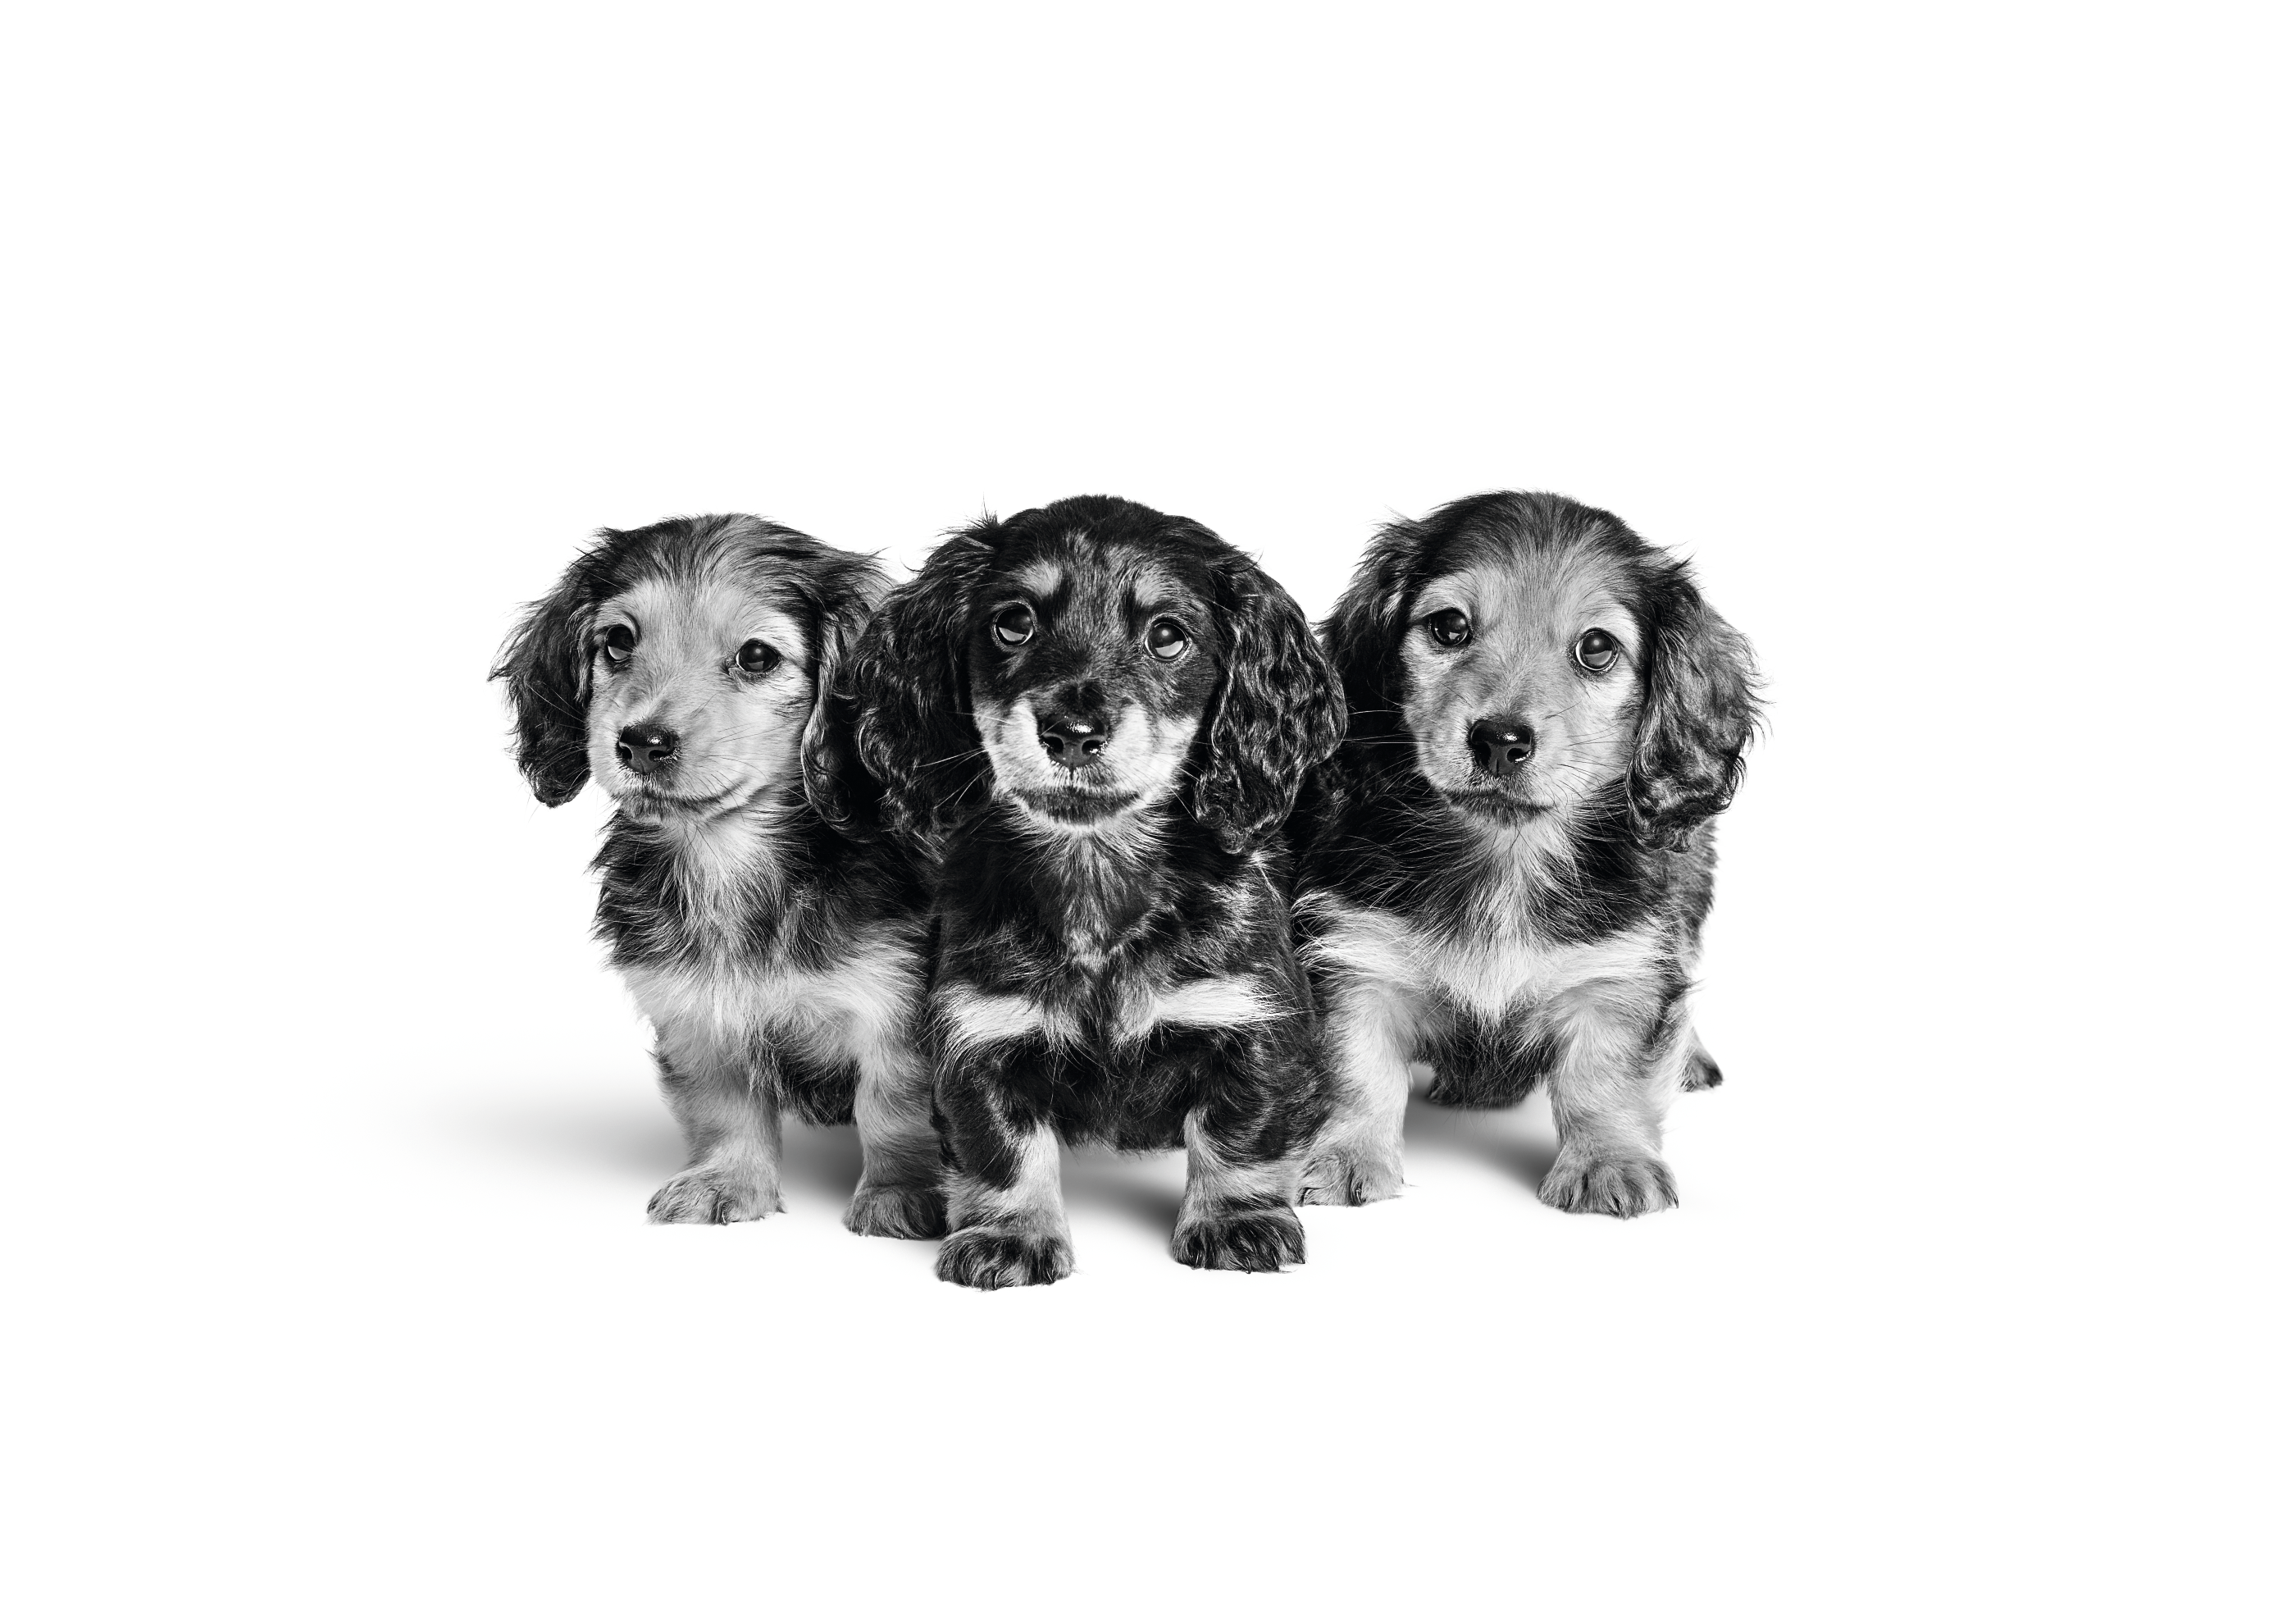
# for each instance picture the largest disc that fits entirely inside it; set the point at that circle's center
(913, 697)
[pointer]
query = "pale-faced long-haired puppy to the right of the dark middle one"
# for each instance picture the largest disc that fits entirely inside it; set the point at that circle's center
(1510, 863)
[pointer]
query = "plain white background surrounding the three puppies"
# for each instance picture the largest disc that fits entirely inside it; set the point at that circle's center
(1950, 341)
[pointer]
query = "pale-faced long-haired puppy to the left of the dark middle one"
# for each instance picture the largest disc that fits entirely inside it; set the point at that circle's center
(690, 670)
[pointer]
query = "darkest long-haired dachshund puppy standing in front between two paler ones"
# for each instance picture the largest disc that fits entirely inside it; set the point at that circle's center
(1094, 720)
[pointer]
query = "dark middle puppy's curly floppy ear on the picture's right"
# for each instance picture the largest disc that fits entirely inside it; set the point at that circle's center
(1275, 718)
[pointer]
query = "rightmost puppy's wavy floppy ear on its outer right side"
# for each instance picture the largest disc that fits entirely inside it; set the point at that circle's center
(1698, 711)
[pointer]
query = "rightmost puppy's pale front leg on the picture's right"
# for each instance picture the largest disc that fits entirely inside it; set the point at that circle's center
(1611, 1097)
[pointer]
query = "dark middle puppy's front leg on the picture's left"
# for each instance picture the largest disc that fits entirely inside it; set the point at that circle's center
(1004, 1214)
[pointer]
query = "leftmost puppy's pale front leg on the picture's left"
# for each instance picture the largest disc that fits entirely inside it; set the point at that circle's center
(731, 1108)
